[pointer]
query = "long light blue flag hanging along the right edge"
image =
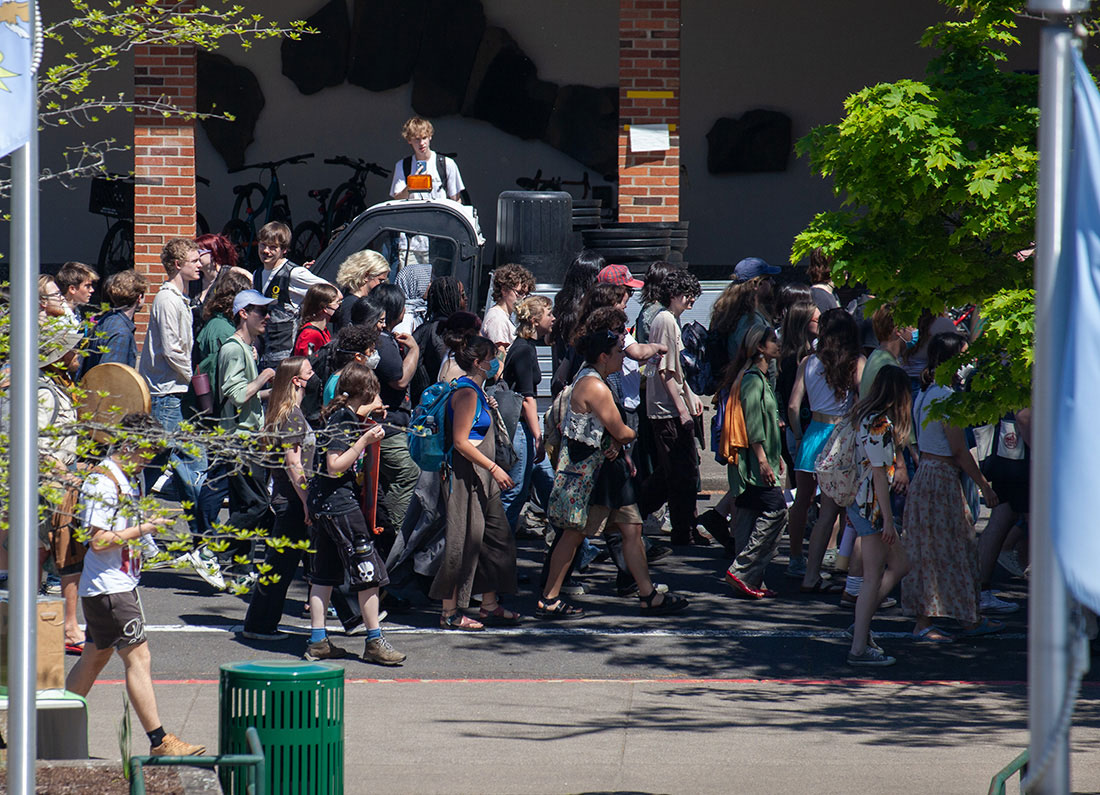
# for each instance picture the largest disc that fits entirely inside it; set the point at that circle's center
(1075, 472)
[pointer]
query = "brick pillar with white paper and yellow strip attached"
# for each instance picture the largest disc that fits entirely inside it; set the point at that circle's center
(650, 94)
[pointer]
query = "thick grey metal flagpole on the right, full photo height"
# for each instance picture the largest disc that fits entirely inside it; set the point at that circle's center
(1049, 606)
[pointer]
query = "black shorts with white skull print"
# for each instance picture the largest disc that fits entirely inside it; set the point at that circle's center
(334, 537)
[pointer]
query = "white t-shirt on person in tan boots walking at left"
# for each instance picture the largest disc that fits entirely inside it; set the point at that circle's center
(117, 569)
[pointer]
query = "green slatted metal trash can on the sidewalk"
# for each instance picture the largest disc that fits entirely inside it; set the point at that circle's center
(298, 708)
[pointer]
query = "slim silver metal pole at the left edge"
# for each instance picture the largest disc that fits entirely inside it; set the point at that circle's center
(24, 510)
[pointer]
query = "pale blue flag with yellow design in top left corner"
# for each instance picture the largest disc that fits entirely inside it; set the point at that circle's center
(17, 83)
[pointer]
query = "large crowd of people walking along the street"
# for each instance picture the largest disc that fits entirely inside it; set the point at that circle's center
(333, 381)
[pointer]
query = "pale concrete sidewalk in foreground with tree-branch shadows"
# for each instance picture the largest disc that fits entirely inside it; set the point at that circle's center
(687, 736)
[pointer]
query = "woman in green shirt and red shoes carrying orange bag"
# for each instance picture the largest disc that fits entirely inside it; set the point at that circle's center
(762, 511)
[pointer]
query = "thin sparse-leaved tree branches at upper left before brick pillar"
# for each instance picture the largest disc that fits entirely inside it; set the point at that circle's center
(85, 41)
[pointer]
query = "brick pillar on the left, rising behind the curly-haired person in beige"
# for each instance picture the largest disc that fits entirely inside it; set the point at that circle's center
(164, 159)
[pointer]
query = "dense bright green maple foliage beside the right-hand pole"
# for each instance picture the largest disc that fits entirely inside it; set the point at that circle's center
(939, 184)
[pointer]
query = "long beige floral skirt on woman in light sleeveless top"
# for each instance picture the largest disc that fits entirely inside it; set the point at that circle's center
(942, 547)
